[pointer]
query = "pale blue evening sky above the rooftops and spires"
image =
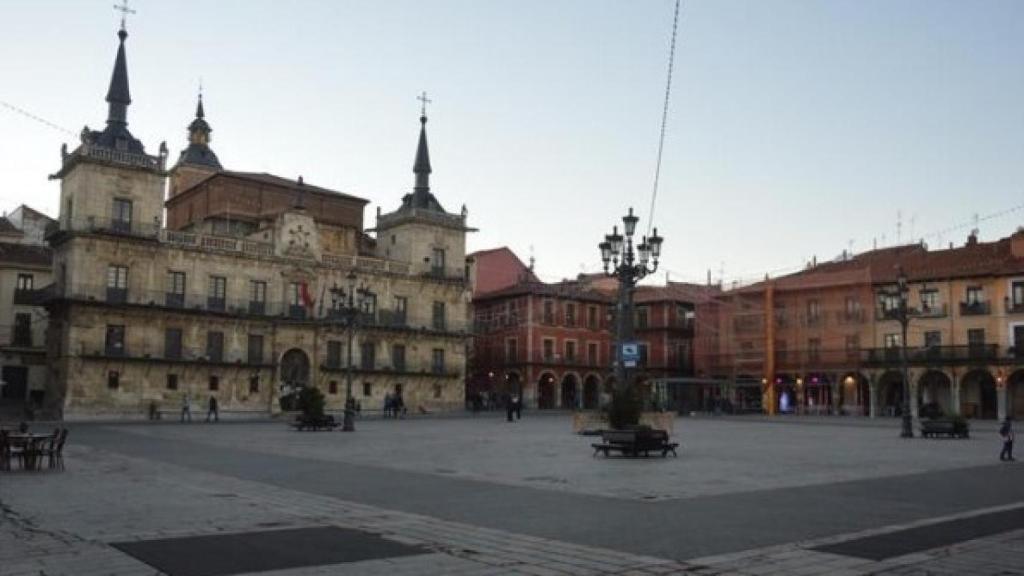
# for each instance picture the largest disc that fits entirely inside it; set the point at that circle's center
(796, 129)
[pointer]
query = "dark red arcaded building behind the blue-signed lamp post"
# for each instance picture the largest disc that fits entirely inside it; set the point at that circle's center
(553, 343)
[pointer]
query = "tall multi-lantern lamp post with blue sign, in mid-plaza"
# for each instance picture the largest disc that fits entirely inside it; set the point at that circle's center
(629, 266)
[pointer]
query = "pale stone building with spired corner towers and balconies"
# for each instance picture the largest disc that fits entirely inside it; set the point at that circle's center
(143, 315)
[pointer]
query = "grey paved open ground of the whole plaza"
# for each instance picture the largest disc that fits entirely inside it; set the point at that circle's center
(480, 496)
